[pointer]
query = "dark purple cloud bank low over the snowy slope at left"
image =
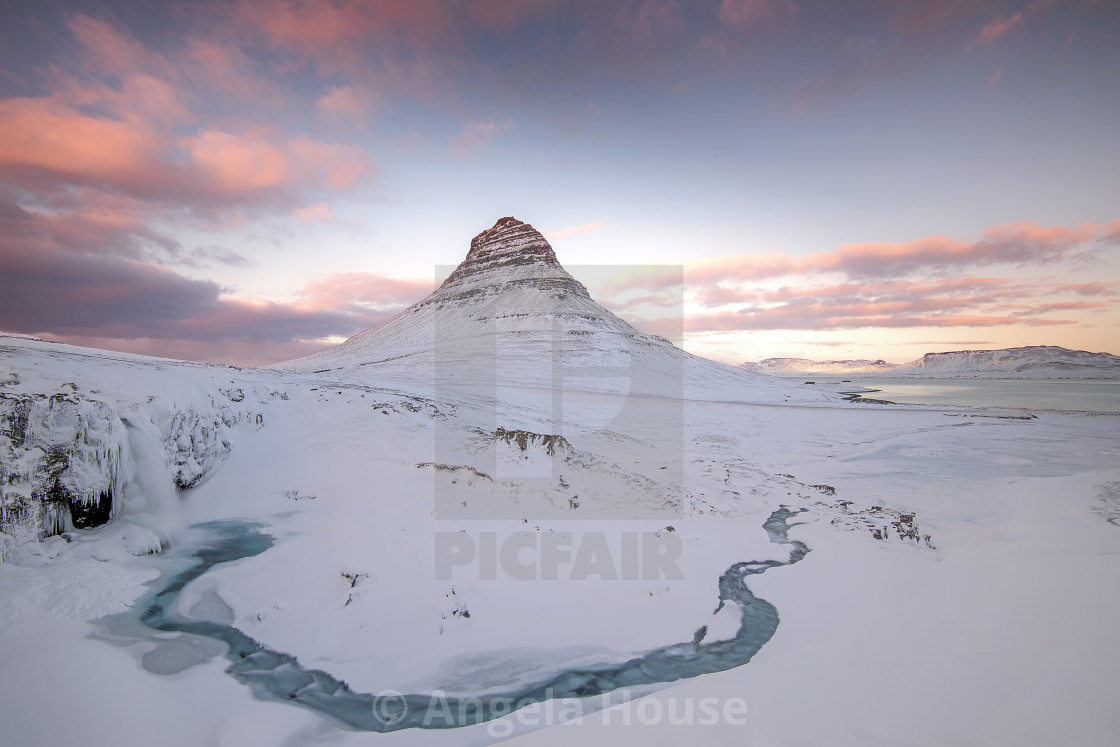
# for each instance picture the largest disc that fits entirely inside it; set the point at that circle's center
(87, 297)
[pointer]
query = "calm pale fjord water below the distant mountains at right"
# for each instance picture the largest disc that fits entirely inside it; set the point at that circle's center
(1086, 396)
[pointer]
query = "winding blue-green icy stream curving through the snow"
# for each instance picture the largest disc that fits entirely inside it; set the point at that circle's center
(276, 676)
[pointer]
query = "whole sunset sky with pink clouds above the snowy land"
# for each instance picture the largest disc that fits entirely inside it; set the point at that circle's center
(250, 182)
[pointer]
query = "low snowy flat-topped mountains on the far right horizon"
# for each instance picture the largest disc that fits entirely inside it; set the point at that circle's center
(1031, 362)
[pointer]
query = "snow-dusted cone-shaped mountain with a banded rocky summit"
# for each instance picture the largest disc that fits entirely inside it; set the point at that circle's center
(511, 314)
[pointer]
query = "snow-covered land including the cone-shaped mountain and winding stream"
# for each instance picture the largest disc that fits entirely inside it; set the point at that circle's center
(445, 508)
